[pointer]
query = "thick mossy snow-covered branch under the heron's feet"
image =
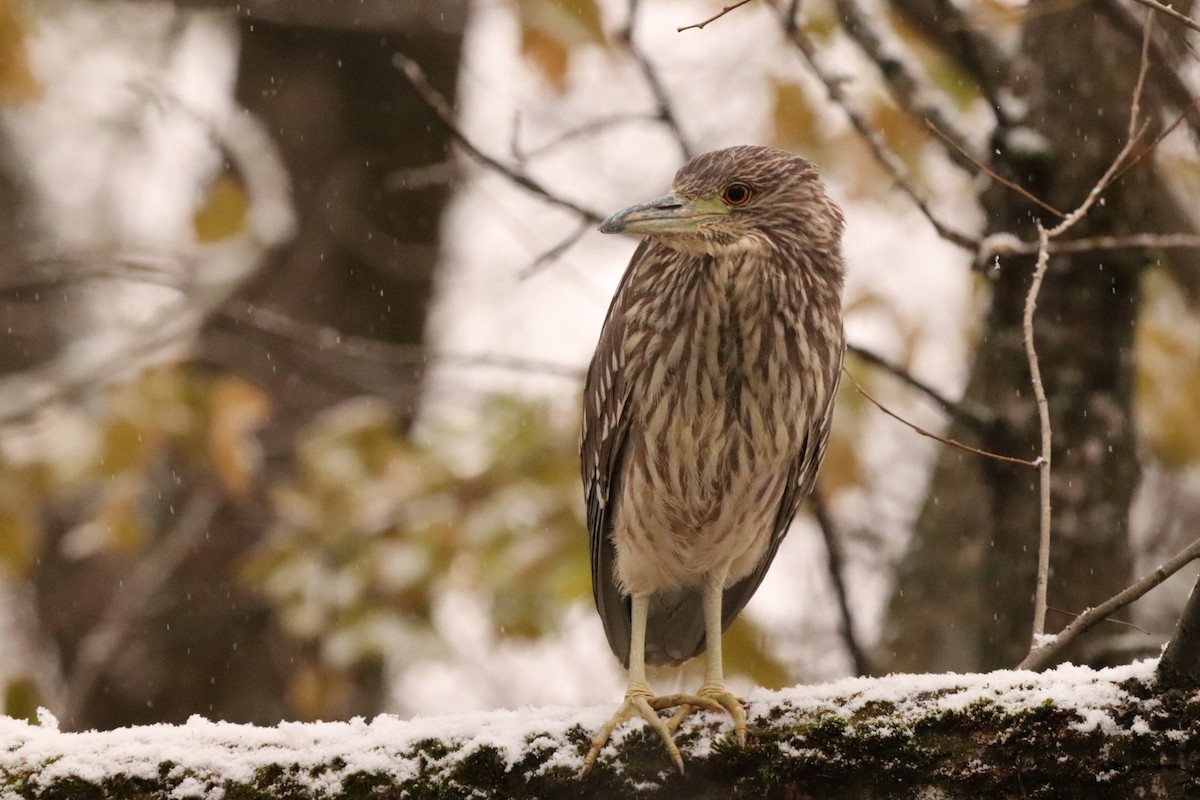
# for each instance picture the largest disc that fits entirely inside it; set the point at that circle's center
(1072, 732)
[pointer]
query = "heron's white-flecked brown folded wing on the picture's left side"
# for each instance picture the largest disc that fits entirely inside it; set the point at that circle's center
(602, 448)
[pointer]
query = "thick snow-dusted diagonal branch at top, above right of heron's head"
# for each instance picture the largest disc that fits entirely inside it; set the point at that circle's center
(908, 88)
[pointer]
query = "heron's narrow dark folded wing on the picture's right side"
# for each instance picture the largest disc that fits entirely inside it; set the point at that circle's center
(801, 480)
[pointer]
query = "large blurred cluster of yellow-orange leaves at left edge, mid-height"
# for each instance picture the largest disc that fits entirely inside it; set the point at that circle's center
(101, 466)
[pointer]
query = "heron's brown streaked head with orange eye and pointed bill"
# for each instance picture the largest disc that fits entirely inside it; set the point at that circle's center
(746, 200)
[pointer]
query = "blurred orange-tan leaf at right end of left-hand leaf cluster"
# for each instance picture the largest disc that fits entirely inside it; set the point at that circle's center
(237, 411)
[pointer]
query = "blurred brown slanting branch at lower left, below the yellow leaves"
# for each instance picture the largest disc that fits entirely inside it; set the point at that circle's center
(133, 600)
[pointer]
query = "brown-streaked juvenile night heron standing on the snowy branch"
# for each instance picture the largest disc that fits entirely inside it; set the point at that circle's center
(707, 411)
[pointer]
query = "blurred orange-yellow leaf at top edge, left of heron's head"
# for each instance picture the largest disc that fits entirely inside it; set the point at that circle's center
(553, 29)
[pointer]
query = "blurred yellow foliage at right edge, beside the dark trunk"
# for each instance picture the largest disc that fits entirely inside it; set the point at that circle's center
(1168, 372)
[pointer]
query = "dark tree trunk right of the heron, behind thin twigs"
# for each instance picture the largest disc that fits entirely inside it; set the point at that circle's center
(975, 551)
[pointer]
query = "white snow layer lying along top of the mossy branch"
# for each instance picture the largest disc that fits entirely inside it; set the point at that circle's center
(207, 755)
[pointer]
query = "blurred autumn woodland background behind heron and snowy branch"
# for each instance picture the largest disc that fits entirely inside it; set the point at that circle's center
(297, 297)
